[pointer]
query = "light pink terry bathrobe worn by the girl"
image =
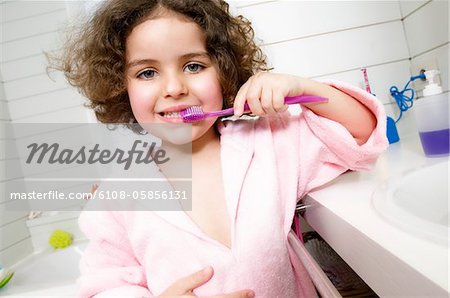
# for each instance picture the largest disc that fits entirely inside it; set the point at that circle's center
(267, 166)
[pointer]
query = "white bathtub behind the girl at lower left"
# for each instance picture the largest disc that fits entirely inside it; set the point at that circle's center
(51, 273)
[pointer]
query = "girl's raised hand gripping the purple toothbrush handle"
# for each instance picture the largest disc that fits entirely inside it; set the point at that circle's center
(265, 92)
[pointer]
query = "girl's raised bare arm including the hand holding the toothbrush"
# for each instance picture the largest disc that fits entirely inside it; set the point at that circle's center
(265, 93)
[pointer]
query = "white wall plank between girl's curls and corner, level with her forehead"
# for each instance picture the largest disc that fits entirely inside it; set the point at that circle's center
(340, 51)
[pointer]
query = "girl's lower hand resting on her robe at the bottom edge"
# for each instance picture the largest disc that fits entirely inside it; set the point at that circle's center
(184, 287)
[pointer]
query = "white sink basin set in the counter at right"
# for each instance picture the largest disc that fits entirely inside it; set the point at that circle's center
(418, 201)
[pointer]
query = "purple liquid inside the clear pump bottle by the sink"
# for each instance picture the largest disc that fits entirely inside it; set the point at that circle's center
(435, 143)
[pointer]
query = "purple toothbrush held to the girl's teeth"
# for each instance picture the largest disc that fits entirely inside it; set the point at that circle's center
(195, 113)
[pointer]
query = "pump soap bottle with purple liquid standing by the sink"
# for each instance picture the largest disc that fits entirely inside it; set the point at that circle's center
(432, 117)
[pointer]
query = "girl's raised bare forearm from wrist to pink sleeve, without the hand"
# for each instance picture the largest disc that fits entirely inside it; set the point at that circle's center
(342, 108)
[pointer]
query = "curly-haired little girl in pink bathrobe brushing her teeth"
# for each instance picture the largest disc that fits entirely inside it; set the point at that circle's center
(143, 61)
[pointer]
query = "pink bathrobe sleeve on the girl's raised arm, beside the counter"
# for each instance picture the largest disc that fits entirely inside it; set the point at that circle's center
(327, 149)
